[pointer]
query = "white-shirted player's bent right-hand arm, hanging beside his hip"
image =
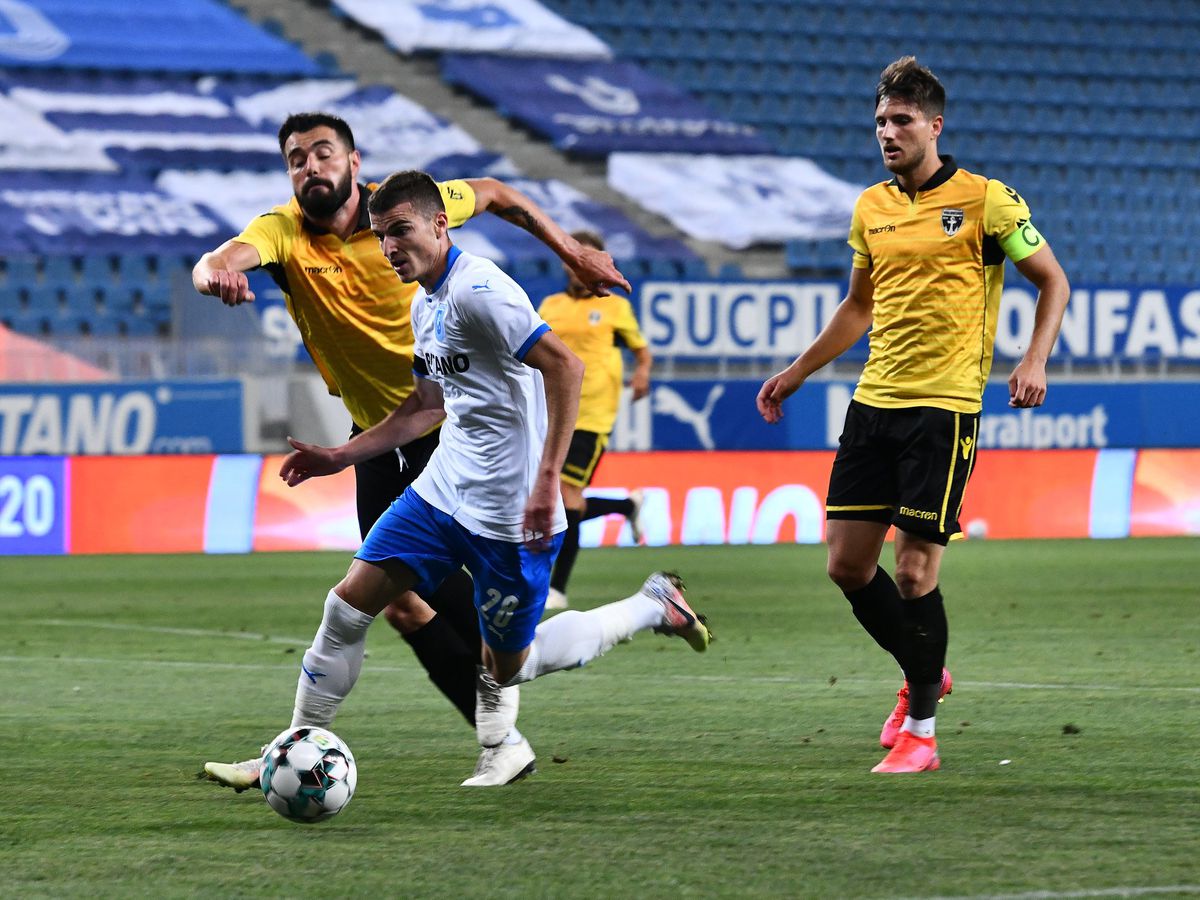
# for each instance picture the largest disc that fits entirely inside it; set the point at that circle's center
(562, 374)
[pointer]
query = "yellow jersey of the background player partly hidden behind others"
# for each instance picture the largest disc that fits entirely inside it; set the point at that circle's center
(595, 328)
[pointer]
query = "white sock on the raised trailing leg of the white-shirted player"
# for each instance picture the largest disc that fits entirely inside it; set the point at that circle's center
(577, 638)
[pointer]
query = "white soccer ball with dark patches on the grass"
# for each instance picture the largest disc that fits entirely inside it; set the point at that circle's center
(309, 775)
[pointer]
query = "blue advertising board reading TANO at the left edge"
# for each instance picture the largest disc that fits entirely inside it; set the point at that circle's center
(122, 418)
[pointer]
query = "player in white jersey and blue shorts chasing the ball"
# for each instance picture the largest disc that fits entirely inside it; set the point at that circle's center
(489, 499)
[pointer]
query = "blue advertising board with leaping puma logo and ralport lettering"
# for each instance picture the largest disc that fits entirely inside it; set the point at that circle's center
(722, 416)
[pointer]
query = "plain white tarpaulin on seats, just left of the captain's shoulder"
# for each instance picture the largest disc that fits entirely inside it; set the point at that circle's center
(739, 201)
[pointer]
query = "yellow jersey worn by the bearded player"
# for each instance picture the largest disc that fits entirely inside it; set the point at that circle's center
(351, 308)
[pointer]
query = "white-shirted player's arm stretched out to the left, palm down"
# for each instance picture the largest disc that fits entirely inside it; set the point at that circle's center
(422, 411)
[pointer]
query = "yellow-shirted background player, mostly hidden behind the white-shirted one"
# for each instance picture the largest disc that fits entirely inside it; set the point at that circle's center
(595, 328)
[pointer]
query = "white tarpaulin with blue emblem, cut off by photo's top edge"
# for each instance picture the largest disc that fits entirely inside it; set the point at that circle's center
(523, 28)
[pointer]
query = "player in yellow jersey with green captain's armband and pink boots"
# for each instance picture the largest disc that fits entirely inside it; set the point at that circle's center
(928, 267)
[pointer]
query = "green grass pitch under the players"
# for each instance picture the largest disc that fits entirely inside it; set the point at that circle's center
(743, 772)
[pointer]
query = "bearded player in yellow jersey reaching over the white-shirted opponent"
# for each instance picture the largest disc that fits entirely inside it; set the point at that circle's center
(353, 314)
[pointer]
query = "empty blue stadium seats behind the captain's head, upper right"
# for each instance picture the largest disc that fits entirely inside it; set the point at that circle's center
(1091, 110)
